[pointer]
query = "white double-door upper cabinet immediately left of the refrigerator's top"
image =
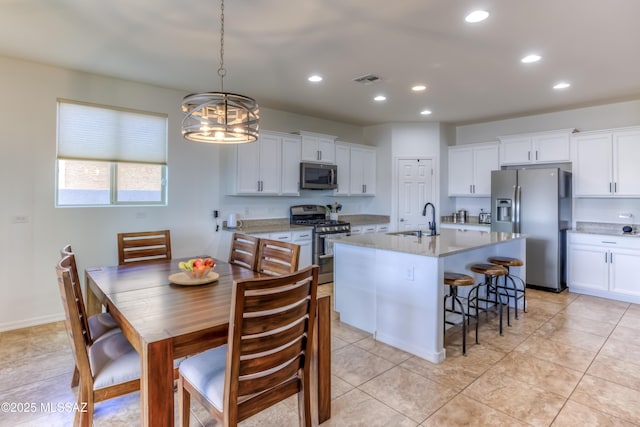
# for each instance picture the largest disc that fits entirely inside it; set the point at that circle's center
(470, 169)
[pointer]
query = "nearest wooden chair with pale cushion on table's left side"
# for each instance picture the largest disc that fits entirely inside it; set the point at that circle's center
(109, 367)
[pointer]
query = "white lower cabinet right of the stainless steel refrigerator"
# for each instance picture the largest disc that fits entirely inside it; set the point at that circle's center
(604, 265)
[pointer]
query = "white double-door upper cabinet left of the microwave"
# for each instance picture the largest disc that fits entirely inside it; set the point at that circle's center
(268, 167)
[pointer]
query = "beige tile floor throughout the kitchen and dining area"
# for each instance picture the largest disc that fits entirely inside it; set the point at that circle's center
(571, 360)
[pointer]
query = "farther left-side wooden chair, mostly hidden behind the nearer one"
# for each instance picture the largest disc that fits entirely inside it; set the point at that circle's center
(96, 326)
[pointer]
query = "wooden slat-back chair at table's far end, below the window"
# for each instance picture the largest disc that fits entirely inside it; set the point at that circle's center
(144, 247)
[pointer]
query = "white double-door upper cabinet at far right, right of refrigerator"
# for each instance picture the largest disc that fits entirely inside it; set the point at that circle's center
(605, 163)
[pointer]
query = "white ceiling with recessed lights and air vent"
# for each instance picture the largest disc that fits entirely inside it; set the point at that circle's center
(473, 72)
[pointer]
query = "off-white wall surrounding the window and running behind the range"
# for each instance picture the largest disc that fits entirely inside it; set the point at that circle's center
(29, 251)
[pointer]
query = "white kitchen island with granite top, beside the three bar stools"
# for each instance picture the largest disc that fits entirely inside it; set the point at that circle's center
(391, 285)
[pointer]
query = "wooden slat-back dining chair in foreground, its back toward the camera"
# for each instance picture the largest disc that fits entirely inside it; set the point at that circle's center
(267, 358)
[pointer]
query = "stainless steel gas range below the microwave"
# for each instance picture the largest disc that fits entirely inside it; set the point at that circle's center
(323, 232)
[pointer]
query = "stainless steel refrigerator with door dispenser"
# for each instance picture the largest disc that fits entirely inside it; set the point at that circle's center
(535, 202)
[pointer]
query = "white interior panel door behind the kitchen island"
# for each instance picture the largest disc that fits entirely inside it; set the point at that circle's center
(415, 188)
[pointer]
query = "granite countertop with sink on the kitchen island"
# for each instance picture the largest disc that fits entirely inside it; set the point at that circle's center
(449, 241)
